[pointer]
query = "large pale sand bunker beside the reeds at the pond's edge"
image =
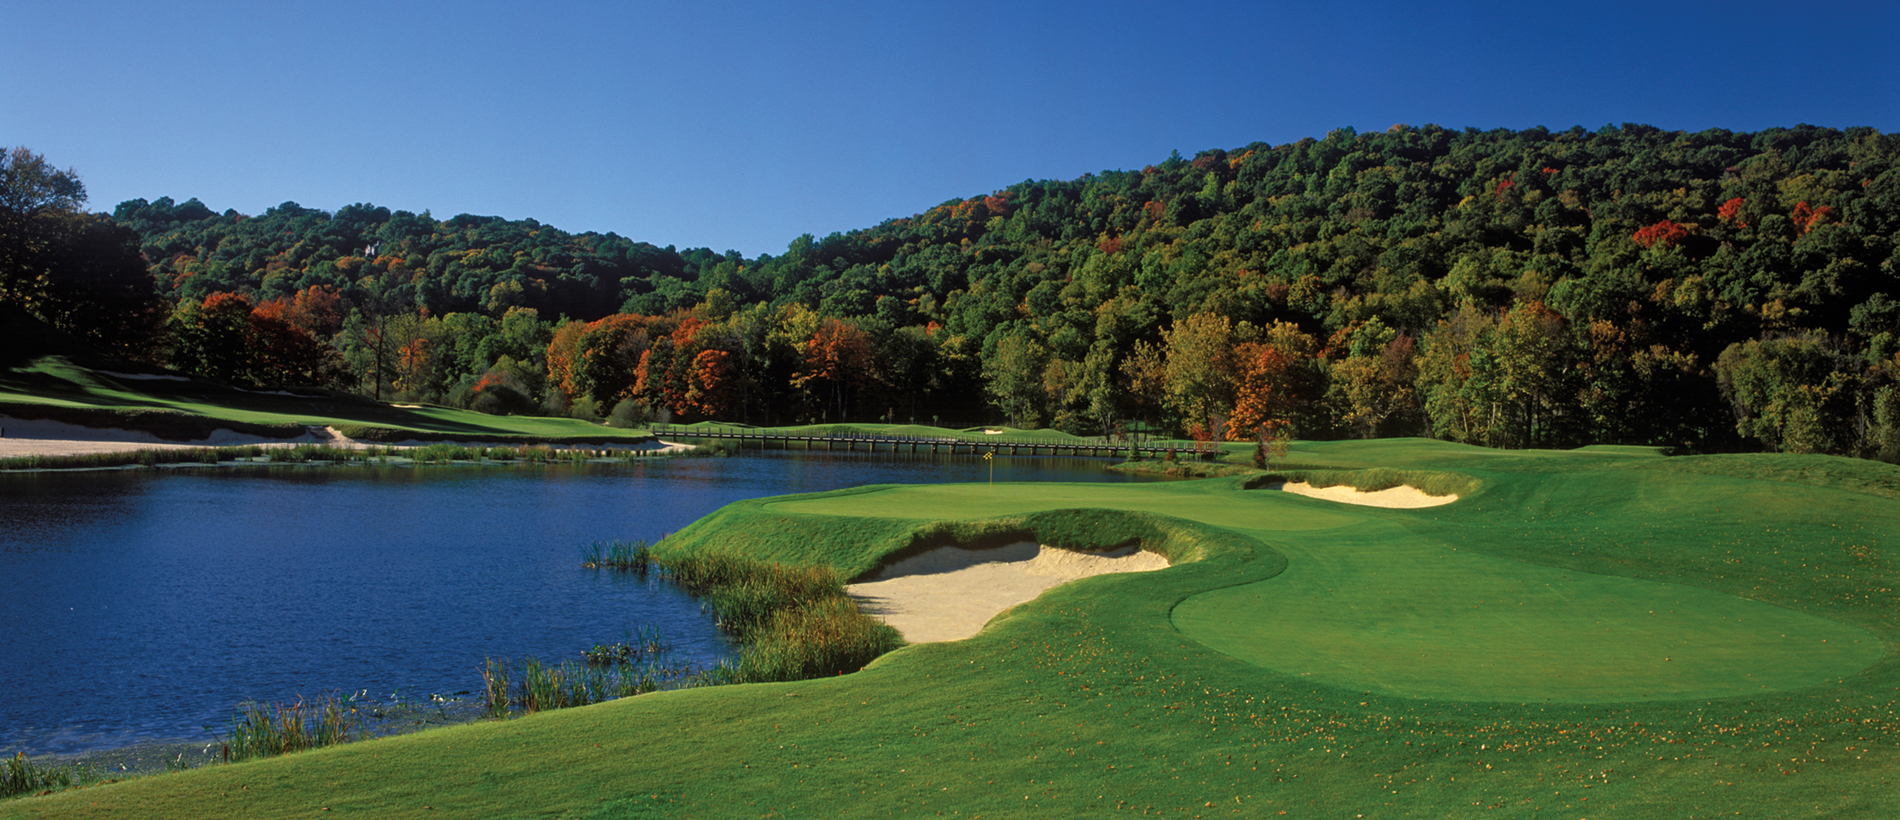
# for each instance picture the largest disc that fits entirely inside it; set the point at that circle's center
(949, 593)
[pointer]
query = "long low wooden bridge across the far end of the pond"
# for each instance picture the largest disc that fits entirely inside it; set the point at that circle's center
(974, 445)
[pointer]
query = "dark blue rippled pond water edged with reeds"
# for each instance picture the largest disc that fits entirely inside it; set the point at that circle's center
(145, 606)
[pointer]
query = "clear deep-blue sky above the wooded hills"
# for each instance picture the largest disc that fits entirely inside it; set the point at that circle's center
(746, 124)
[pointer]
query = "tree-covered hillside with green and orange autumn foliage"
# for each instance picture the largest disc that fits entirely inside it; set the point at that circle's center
(1502, 288)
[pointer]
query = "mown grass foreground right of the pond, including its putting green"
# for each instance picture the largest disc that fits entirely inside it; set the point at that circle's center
(1491, 658)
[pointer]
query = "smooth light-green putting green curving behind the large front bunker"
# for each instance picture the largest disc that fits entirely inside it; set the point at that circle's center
(1369, 605)
